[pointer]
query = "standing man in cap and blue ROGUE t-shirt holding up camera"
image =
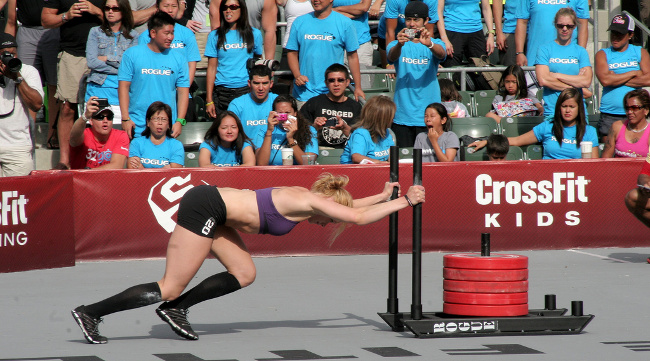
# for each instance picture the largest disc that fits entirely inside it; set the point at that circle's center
(416, 61)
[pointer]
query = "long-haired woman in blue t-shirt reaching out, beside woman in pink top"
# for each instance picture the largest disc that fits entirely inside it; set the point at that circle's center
(560, 137)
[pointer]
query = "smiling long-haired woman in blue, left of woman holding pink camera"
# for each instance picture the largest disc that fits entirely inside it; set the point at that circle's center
(226, 144)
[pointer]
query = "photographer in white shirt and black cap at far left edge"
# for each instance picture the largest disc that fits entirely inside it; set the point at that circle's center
(21, 92)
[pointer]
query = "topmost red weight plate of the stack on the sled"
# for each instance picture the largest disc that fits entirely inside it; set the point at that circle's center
(494, 261)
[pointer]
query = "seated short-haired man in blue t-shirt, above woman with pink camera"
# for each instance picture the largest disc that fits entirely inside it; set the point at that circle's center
(252, 109)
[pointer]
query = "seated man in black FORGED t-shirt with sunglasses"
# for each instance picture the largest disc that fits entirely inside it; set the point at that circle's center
(333, 114)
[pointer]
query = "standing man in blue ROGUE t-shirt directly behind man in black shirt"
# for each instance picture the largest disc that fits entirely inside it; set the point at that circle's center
(318, 40)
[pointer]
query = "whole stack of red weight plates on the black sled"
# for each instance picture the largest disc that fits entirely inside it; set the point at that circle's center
(476, 285)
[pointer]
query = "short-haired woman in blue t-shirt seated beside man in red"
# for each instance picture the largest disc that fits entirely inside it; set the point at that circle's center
(156, 148)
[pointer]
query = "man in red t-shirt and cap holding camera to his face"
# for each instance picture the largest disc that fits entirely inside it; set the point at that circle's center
(98, 146)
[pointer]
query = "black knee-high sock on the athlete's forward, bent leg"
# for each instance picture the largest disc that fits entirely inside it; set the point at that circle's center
(214, 286)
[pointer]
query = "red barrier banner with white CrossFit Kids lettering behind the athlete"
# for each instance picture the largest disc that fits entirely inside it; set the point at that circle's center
(523, 204)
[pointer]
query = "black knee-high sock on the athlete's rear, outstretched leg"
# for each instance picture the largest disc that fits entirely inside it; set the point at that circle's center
(134, 297)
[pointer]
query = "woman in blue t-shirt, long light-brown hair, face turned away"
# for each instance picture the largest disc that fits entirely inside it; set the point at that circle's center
(371, 140)
